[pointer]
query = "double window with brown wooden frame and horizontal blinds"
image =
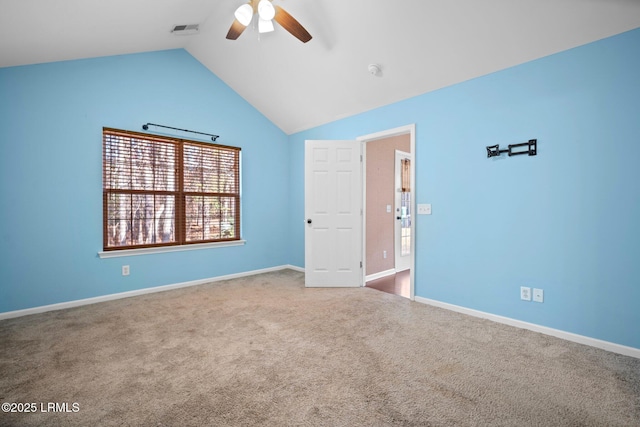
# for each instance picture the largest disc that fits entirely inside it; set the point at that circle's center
(161, 191)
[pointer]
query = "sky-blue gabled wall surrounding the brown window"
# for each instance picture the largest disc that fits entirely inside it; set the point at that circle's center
(51, 119)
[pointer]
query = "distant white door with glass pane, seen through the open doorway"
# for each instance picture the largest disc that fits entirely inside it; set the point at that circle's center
(403, 214)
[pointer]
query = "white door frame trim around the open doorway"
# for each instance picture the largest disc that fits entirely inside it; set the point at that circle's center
(402, 130)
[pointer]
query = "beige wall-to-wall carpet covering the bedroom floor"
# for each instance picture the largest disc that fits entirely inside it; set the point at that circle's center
(265, 351)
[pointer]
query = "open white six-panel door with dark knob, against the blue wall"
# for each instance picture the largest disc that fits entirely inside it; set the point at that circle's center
(333, 214)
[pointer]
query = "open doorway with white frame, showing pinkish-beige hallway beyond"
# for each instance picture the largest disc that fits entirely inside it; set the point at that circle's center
(388, 206)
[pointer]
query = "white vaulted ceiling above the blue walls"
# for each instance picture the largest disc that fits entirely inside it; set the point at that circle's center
(421, 45)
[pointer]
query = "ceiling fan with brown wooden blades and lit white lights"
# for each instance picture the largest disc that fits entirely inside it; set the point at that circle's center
(266, 12)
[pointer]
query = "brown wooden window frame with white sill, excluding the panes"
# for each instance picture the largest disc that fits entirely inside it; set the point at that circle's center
(181, 237)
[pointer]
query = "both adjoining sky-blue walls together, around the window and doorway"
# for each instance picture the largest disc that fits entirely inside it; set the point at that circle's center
(566, 220)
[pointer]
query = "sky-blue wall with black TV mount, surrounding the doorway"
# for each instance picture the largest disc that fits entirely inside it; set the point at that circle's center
(566, 221)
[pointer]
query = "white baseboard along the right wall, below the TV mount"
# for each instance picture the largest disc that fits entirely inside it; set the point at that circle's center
(580, 339)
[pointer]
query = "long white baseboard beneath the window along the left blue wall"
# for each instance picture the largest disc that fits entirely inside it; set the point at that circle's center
(110, 297)
